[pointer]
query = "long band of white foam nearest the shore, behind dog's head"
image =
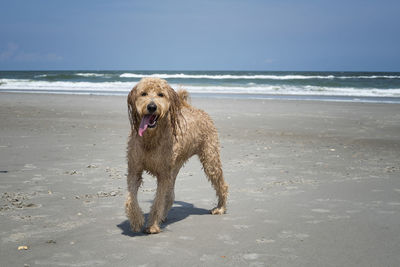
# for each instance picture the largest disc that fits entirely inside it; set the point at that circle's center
(124, 87)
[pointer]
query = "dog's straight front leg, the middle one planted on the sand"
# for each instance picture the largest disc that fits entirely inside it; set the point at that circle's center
(158, 208)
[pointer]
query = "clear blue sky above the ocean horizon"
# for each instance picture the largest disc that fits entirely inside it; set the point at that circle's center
(281, 35)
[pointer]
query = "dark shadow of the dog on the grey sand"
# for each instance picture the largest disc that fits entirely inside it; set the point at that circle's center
(176, 214)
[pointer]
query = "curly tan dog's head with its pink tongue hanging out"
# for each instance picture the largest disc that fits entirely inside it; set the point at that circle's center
(150, 102)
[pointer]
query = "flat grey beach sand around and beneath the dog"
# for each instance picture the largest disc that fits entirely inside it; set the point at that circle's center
(311, 184)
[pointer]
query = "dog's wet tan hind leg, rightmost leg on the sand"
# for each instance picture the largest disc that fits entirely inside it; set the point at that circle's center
(209, 157)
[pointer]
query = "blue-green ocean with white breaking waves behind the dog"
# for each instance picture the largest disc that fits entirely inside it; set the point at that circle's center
(330, 86)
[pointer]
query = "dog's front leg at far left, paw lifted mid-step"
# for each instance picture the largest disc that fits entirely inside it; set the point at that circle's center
(132, 209)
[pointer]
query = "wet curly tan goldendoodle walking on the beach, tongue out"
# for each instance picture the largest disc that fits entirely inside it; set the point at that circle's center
(165, 132)
